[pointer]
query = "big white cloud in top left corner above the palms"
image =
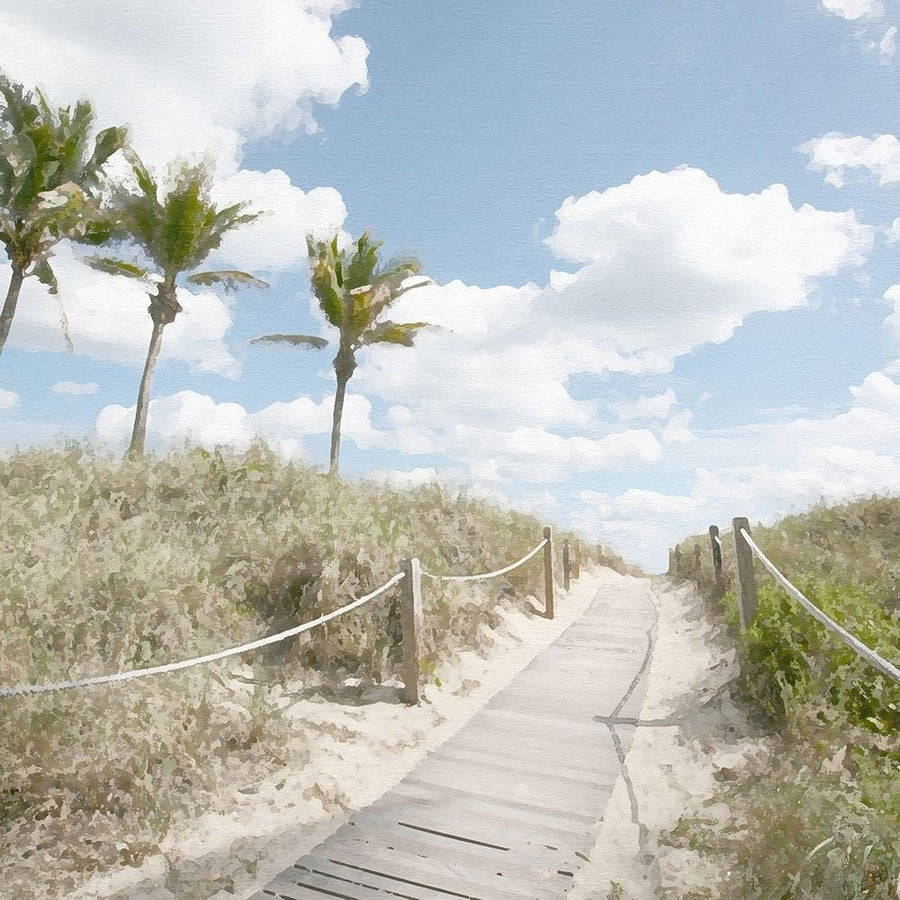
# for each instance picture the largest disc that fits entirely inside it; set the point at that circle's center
(187, 77)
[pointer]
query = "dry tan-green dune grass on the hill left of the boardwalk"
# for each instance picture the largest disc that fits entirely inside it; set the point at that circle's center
(111, 565)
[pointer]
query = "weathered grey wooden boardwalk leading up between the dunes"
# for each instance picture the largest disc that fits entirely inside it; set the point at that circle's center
(509, 806)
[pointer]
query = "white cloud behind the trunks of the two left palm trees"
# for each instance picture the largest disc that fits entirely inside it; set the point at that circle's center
(108, 320)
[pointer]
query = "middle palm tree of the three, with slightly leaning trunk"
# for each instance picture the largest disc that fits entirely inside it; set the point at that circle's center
(175, 229)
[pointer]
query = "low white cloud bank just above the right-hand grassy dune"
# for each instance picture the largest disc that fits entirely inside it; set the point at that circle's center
(762, 471)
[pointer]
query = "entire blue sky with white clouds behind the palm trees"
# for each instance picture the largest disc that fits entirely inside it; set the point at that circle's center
(663, 239)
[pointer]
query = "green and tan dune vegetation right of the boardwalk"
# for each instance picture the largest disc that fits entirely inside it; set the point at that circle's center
(817, 815)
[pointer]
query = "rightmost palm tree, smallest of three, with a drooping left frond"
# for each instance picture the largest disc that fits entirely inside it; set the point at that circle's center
(353, 291)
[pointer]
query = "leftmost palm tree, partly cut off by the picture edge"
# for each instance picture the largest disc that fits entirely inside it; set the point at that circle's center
(46, 178)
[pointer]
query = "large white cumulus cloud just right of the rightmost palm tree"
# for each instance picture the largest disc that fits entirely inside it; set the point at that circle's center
(665, 263)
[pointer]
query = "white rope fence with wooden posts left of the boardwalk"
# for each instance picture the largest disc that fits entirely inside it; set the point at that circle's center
(409, 578)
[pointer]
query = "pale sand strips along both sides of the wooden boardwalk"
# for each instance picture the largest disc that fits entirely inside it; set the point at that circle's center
(262, 822)
